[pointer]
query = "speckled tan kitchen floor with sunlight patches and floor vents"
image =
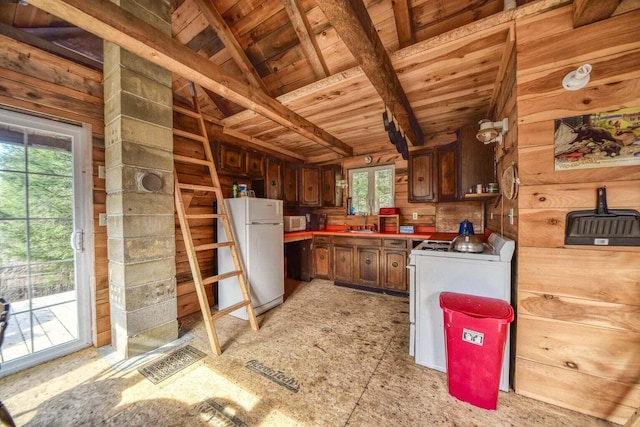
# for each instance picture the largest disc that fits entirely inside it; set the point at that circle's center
(329, 356)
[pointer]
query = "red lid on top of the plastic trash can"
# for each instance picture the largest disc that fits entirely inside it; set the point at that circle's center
(476, 306)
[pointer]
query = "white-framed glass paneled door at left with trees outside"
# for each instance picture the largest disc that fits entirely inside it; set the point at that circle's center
(45, 183)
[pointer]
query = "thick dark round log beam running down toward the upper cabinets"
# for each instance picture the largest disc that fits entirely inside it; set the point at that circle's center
(353, 23)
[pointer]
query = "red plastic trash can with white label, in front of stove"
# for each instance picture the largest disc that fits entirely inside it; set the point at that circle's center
(475, 330)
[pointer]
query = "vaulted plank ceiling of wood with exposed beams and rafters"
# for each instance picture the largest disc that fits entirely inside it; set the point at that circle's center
(309, 79)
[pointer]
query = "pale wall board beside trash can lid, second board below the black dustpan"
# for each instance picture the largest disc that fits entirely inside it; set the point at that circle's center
(578, 310)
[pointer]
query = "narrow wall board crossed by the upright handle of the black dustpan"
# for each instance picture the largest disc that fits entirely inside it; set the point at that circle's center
(583, 196)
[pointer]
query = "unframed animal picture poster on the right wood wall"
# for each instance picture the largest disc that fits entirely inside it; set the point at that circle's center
(599, 140)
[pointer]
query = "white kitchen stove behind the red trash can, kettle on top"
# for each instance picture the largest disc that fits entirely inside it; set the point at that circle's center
(434, 268)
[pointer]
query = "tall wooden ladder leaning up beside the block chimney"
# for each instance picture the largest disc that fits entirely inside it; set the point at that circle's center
(196, 180)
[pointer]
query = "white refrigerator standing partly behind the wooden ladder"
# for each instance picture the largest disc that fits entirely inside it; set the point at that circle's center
(258, 230)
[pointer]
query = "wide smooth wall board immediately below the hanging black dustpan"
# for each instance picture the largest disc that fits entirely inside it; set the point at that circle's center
(589, 274)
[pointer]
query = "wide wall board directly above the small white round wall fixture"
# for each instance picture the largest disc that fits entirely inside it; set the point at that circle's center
(571, 48)
